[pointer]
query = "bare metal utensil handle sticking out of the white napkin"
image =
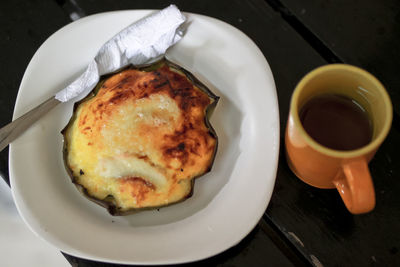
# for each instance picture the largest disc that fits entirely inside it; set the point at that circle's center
(12, 130)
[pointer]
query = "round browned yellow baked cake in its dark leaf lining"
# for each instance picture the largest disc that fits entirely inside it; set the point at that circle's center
(139, 139)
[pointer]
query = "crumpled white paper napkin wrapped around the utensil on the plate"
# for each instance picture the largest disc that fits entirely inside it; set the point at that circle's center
(137, 44)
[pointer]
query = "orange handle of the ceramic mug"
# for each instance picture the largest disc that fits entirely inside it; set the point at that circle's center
(356, 188)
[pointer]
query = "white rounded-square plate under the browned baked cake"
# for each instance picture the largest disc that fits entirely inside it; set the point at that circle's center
(227, 202)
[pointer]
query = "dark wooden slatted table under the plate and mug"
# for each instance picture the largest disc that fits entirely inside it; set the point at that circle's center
(302, 225)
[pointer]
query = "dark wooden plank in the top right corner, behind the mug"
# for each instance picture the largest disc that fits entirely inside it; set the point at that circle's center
(361, 33)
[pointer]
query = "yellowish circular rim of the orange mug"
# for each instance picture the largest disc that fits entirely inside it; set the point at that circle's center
(374, 144)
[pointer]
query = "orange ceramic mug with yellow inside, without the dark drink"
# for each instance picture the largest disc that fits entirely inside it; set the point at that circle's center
(324, 167)
